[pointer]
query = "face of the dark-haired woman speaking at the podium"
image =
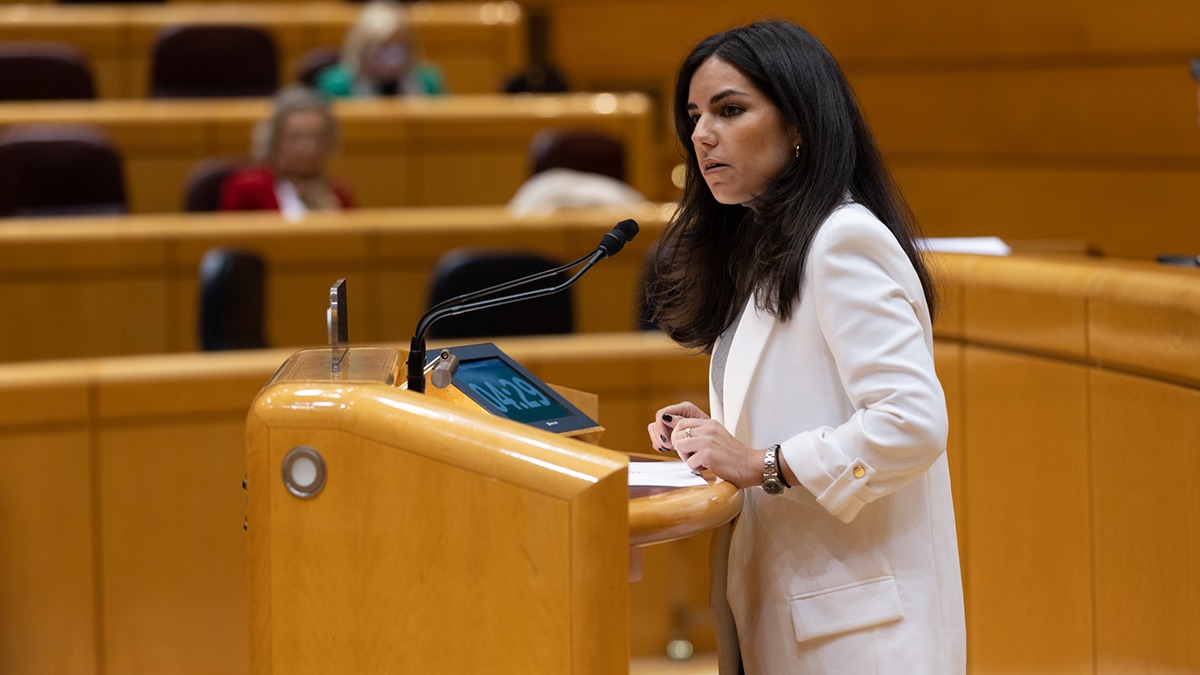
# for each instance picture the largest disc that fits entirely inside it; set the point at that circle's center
(742, 141)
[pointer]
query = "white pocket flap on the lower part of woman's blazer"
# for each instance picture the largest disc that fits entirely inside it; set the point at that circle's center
(854, 607)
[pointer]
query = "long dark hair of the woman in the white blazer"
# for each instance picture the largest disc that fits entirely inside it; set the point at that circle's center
(713, 255)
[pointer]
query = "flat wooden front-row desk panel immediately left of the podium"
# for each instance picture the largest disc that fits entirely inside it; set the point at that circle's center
(173, 558)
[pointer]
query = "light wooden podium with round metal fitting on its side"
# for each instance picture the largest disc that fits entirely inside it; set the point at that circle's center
(393, 533)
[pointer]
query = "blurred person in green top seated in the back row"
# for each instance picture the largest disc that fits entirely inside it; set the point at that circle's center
(381, 58)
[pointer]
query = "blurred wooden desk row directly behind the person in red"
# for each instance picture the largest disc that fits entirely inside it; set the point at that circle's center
(452, 151)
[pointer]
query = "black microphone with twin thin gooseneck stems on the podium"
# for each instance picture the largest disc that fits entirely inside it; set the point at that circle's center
(610, 246)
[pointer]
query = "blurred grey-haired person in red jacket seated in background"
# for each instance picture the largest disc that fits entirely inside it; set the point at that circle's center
(292, 150)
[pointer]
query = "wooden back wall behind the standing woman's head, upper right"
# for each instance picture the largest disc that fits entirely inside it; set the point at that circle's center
(1006, 118)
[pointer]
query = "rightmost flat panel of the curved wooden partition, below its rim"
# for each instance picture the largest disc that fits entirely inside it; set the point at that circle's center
(1145, 499)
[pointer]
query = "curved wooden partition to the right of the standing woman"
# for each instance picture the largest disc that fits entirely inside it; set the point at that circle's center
(1078, 390)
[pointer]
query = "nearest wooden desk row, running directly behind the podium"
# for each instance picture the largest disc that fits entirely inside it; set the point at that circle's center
(124, 545)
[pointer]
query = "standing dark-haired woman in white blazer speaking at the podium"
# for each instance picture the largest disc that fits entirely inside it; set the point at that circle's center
(793, 261)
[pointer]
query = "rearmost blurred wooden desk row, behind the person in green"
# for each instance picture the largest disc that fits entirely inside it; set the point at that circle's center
(476, 44)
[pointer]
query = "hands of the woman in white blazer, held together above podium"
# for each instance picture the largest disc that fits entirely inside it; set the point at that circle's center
(705, 444)
